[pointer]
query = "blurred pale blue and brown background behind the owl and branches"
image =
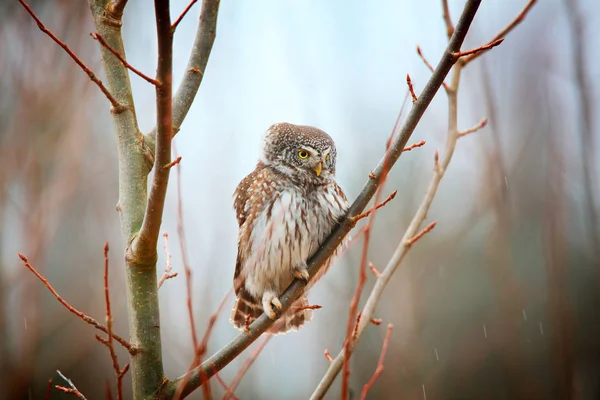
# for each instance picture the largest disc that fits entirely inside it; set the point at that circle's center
(500, 301)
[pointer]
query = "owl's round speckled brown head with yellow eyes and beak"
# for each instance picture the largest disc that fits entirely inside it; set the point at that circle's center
(299, 150)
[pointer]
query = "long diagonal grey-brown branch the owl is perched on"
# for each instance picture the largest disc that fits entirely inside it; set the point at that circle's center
(222, 357)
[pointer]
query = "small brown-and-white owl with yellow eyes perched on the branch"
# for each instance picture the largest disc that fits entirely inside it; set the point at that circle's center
(285, 209)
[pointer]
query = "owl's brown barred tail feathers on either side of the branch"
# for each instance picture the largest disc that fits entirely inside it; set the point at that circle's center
(246, 309)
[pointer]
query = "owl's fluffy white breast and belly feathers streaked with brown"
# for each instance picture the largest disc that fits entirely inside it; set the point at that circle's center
(284, 231)
